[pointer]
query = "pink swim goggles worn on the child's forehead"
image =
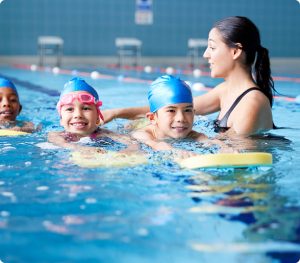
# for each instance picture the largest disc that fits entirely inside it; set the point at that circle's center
(84, 98)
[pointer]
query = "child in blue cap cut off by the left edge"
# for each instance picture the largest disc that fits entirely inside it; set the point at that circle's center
(10, 108)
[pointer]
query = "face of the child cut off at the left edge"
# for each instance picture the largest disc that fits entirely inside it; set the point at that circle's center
(9, 105)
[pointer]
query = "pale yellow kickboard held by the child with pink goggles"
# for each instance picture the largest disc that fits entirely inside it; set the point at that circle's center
(109, 159)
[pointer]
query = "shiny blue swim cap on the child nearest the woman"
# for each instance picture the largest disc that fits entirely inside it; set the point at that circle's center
(167, 90)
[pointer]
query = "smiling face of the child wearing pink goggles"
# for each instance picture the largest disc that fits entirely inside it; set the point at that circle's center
(79, 118)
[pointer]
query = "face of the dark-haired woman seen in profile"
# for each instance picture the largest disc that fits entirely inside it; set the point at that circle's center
(219, 55)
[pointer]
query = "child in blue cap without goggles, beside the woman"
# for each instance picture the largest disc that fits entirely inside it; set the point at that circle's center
(172, 114)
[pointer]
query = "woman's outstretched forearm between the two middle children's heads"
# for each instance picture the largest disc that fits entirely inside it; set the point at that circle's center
(125, 113)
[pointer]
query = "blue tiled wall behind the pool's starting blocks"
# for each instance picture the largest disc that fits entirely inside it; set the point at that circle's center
(89, 27)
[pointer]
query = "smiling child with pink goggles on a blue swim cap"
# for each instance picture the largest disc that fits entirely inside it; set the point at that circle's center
(80, 115)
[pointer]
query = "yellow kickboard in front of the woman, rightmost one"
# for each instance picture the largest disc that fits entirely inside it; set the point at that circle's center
(227, 160)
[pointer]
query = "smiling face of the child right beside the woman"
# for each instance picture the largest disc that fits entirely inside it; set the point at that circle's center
(174, 121)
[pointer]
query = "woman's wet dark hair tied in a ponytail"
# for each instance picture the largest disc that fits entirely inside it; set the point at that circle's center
(237, 30)
